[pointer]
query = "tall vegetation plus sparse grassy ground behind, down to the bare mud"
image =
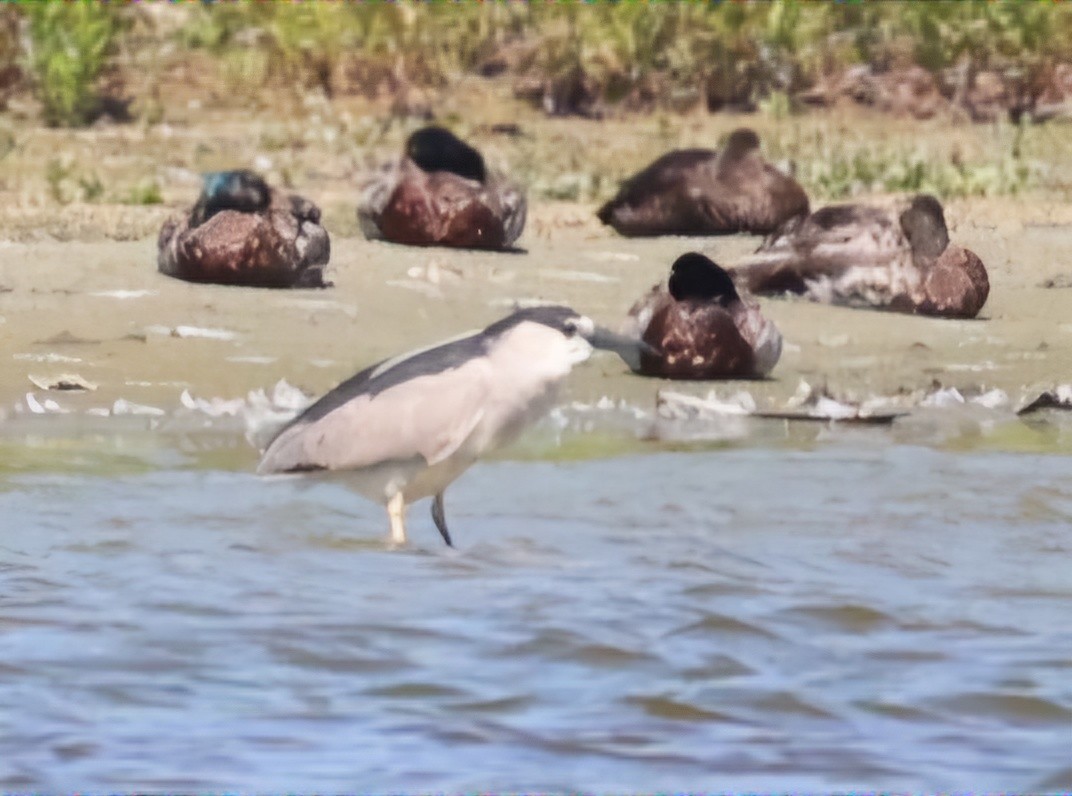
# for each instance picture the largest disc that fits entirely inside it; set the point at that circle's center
(304, 69)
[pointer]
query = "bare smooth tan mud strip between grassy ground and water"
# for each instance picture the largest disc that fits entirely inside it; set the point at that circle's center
(101, 312)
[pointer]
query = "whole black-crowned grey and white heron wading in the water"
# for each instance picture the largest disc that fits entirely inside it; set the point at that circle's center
(407, 428)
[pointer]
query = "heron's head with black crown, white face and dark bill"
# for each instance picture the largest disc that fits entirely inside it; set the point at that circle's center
(564, 336)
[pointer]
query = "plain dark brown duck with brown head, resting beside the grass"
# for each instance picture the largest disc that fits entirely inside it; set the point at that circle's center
(707, 192)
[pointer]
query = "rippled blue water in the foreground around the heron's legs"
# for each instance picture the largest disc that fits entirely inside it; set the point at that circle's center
(846, 615)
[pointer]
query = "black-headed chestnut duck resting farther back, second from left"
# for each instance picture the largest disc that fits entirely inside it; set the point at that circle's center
(442, 194)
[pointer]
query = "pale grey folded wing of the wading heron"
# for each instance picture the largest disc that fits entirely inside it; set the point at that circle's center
(429, 416)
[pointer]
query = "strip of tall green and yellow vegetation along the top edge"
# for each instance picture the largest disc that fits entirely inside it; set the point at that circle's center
(629, 53)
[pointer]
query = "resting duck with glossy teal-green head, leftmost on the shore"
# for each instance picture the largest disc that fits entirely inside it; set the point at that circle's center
(242, 232)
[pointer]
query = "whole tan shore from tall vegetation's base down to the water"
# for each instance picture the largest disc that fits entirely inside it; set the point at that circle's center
(81, 296)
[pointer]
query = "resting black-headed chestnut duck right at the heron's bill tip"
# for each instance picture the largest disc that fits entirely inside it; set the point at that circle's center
(702, 328)
